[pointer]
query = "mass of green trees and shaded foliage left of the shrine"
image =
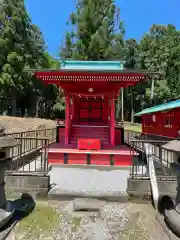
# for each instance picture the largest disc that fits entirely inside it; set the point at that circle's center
(22, 46)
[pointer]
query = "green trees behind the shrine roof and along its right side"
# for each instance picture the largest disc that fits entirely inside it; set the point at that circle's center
(97, 34)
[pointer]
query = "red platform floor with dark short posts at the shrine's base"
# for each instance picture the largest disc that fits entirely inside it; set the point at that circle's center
(119, 156)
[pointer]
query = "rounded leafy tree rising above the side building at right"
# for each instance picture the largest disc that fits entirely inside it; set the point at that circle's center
(160, 50)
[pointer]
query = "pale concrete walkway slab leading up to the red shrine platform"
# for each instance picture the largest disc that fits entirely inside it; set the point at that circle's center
(86, 182)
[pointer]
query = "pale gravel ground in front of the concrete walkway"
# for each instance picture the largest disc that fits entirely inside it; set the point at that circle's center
(114, 221)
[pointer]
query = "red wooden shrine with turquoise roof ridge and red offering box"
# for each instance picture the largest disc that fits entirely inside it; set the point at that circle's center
(91, 89)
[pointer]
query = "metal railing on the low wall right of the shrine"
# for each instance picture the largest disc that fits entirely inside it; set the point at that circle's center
(164, 159)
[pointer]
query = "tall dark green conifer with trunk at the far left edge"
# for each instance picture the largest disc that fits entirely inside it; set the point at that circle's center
(21, 45)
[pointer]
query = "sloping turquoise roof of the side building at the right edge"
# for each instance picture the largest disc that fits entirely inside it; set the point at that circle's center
(160, 108)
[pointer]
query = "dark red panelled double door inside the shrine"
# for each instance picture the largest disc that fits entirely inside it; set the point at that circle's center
(90, 110)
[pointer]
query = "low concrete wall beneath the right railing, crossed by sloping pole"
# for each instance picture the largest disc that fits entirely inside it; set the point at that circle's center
(141, 188)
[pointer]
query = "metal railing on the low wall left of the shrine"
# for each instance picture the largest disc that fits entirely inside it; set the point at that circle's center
(31, 152)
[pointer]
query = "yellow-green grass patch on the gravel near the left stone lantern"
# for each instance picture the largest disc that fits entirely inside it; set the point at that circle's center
(42, 220)
